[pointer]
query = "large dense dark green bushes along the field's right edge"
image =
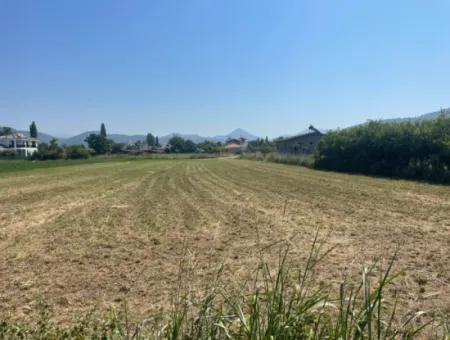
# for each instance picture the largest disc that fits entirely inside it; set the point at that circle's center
(409, 150)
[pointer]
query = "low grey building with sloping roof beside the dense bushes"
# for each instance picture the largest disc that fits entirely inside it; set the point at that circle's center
(304, 143)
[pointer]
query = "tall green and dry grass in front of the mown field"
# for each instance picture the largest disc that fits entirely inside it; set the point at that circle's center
(283, 304)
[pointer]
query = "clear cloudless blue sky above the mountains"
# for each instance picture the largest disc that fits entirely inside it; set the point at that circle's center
(210, 66)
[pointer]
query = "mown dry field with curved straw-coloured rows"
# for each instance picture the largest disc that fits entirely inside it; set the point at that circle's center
(90, 235)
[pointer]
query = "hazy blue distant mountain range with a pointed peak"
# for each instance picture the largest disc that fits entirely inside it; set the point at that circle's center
(122, 138)
